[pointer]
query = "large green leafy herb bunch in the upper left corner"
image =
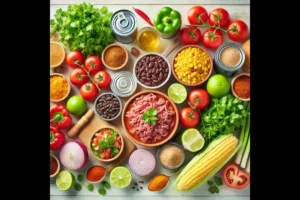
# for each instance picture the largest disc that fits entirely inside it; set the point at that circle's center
(83, 27)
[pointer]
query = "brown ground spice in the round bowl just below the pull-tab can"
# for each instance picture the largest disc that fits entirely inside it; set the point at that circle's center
(114, 56)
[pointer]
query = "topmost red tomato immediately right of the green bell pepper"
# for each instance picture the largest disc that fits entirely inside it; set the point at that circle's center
(197, 15)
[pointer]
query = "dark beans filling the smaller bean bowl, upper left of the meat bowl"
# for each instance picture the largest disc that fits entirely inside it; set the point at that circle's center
(108, 106)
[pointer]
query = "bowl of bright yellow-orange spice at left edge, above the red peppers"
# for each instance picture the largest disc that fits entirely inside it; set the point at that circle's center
(59, 87)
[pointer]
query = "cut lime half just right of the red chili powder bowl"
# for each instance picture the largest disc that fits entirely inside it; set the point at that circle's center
(120, 177)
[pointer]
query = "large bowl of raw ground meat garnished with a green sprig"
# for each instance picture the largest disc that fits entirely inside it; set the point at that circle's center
(150, 118)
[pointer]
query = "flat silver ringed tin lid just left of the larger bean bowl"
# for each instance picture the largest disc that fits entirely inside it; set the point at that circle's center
(123, 84)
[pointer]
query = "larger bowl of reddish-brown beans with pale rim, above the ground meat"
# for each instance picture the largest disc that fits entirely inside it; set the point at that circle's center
(152, 70)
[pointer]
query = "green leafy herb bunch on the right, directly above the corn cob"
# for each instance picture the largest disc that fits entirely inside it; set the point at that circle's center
(224, 116)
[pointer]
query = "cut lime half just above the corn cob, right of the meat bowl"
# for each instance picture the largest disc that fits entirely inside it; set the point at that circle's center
(192, 140)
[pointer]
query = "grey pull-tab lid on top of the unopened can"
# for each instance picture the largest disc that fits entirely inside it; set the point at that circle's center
(123, 22)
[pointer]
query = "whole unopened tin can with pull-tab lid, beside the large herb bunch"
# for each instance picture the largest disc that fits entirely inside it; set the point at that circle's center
(123, 24)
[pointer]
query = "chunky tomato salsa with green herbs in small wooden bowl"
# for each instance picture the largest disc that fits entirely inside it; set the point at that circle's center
(106, 143)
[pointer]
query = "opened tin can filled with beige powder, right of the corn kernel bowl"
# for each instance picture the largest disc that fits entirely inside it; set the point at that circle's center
(229, 58)
